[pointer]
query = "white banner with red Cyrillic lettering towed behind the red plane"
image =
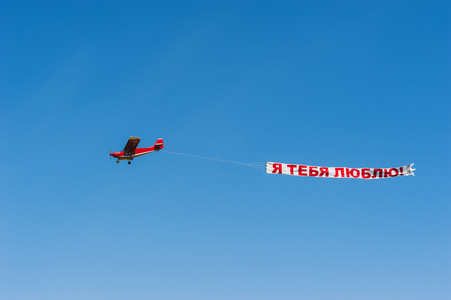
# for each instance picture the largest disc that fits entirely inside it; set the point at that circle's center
(332, 172)
